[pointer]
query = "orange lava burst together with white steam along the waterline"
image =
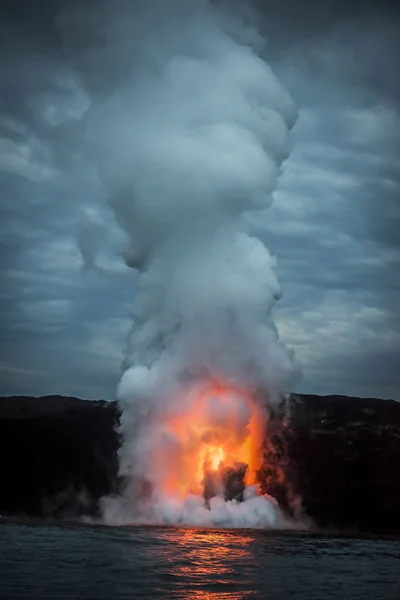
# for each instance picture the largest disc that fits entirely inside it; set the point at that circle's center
(201, 456)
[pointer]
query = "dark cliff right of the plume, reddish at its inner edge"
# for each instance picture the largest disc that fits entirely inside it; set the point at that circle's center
(341, 456)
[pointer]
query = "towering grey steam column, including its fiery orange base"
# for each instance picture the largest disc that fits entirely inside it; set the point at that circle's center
(188, 127)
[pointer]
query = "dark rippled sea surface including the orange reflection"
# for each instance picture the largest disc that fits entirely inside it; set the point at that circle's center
(77, 562)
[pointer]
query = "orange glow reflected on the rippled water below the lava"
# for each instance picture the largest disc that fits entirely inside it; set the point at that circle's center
(210, 567)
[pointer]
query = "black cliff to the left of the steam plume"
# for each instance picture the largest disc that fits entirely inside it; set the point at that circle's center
(58, 455)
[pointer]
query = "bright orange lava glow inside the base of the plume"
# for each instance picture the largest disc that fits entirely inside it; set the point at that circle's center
(217, 427)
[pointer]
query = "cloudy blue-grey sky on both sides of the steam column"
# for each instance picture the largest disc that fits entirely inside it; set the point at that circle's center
(334, 225)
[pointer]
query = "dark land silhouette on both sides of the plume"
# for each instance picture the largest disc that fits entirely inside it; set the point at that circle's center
(339, 455)
